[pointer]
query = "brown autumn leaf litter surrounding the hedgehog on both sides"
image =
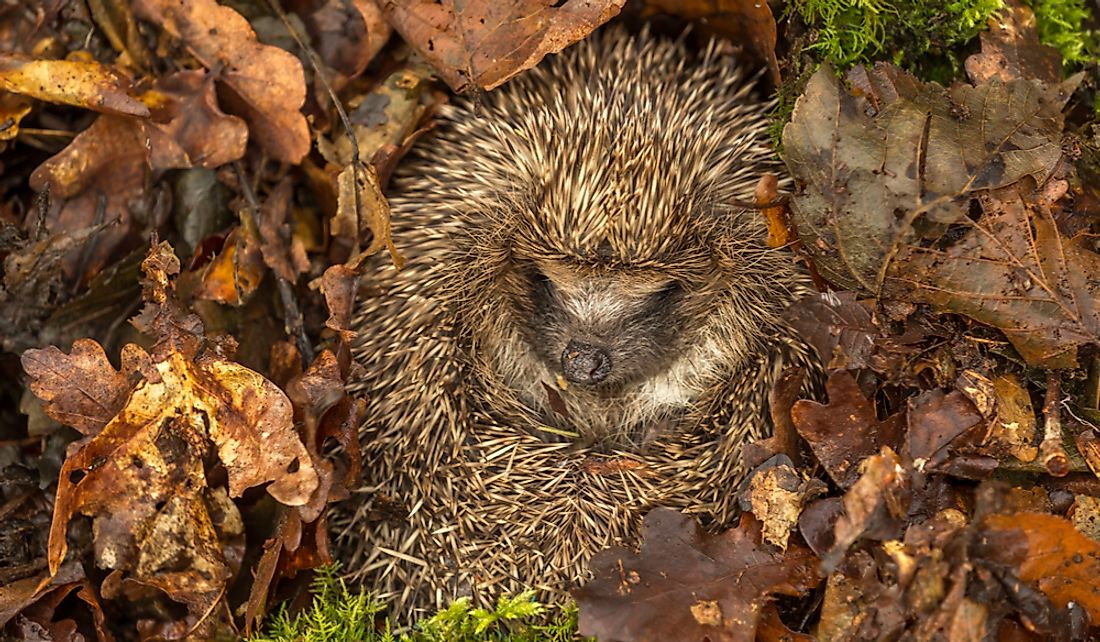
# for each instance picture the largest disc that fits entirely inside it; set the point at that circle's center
(173, 415)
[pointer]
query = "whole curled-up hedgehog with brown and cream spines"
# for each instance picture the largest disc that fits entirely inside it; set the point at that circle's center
(588, 326)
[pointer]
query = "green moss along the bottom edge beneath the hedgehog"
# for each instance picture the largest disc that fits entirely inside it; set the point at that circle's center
(338, 615)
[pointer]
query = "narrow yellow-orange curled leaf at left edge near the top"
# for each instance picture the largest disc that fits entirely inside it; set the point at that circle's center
(89, 84)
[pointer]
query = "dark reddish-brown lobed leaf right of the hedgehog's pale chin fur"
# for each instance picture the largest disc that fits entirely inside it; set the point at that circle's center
(845, 431)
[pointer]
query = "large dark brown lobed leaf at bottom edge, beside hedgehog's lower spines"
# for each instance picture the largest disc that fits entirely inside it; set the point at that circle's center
(686, 584)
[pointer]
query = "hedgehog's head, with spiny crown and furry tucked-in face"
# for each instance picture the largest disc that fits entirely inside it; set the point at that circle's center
(599, 212)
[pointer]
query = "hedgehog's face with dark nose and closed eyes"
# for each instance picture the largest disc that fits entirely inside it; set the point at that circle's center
(603, 329)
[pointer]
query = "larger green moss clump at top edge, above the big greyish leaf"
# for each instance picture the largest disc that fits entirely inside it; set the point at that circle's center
(851, 32)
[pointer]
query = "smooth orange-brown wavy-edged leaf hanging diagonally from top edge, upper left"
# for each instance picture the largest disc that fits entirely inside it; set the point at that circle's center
(269, 83)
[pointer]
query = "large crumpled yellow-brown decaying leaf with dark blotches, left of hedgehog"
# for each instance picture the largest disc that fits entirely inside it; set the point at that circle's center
(141, 474)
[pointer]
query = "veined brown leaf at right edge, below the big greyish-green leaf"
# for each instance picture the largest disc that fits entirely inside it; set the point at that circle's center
(1013, 270)
